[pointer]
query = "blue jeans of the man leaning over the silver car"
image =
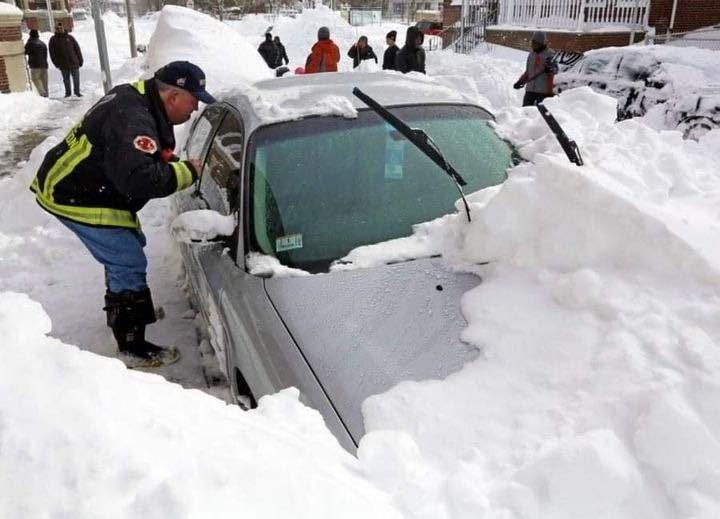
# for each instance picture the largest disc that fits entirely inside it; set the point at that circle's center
(119, 250)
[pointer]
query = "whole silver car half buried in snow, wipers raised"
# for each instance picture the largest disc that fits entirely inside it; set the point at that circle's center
(307, 183)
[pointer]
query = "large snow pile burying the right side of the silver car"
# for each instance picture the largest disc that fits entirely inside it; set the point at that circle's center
(596, 392)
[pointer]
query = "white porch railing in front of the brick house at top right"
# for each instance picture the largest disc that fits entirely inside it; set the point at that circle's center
(576, 15)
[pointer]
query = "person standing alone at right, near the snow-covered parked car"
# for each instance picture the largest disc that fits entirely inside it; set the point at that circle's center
(540, 69)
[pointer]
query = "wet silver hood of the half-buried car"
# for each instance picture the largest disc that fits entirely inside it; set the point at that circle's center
(364, 331)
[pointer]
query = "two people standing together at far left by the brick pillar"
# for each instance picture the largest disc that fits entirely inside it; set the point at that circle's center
(65, 54)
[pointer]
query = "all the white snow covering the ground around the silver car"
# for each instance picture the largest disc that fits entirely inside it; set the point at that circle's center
(596, 393)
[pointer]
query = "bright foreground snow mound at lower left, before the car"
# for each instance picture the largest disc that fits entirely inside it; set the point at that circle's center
(121, 444)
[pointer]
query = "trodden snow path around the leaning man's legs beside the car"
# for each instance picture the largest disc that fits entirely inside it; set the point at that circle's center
(67, 281)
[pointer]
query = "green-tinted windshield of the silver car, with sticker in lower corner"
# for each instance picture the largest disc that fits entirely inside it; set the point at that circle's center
(323, 186)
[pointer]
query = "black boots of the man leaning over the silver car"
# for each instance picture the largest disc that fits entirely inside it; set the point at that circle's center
(127, 314)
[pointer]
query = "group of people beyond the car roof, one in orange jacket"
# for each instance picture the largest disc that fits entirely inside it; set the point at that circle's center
(325, 54)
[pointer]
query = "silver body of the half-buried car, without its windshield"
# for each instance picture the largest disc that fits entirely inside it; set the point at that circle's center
(338, 337)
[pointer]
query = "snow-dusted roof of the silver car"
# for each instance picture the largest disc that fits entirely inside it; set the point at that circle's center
(330, 94)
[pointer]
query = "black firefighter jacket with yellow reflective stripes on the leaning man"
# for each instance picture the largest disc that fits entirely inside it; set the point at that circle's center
(124, 144)
